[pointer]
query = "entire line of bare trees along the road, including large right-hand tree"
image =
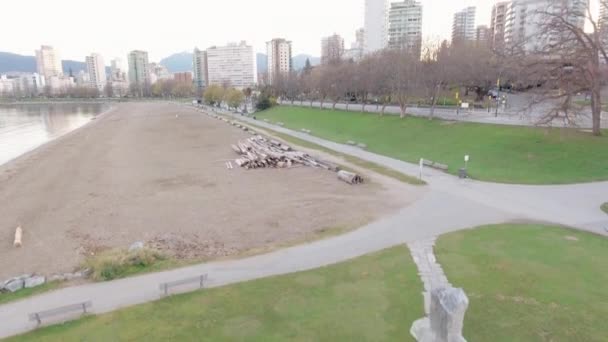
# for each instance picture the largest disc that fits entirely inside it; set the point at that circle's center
(568, 63)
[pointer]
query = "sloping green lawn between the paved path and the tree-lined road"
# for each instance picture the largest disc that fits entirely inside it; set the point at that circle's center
(498, 153)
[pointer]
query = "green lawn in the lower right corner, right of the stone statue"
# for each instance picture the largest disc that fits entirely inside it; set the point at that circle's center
(529, 282)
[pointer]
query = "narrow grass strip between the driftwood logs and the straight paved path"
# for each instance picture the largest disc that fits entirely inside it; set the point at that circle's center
(353, 160)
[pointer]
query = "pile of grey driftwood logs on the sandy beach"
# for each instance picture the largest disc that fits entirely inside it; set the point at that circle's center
(259, 152)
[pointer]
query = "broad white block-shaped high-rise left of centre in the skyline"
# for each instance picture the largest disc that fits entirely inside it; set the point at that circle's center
(232, 65)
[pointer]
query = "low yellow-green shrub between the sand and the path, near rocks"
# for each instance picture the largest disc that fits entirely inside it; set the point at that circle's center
(118, 263)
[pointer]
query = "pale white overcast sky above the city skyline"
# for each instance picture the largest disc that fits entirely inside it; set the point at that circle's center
(162, 28)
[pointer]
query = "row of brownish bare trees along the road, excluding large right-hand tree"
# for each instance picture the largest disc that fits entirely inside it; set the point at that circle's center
(396, 77)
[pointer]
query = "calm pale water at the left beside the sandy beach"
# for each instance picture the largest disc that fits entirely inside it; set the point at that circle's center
(24, 127)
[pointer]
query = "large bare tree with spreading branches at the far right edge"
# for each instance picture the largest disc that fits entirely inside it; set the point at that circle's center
(568, 62)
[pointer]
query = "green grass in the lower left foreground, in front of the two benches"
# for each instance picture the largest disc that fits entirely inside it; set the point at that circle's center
(372, 298)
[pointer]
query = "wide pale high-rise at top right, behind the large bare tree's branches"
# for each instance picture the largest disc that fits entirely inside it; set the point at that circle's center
(524, 30)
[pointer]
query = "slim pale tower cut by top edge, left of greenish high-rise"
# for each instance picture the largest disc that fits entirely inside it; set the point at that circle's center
(376, 25)
